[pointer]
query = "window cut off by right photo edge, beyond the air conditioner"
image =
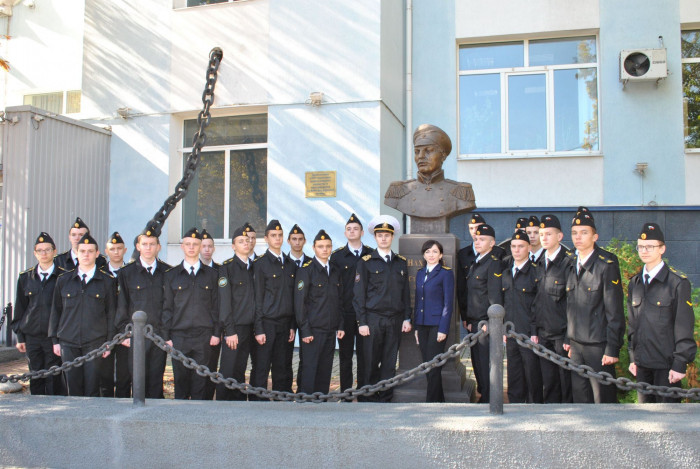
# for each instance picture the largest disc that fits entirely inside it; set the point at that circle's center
(690, 58)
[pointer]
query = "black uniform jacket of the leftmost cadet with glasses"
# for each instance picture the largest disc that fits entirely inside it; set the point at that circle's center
(33, 303)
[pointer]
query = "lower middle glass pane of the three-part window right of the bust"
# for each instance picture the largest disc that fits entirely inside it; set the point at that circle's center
(527, 112)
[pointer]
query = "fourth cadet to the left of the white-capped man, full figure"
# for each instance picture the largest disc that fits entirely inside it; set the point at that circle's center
(274, 313)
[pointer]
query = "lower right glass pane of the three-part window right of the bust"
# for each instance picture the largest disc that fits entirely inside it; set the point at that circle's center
(575, 109)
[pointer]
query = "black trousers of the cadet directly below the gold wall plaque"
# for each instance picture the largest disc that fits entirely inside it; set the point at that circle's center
(318, 363)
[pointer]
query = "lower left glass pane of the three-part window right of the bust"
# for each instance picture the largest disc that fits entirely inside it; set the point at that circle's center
(480, 114)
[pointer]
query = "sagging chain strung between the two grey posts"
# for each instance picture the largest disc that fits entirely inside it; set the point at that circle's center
(349, 394)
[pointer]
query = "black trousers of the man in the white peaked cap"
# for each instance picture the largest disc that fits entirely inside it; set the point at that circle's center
(381, 349)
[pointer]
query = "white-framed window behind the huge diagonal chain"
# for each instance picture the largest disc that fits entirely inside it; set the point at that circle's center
(230, 187)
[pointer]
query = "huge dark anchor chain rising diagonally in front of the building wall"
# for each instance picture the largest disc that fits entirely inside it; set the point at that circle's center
(198, 141)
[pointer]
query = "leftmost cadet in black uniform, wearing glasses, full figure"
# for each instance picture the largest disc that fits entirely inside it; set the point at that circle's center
(31, 316)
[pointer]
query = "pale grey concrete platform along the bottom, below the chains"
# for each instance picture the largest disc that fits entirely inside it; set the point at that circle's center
(83, 432)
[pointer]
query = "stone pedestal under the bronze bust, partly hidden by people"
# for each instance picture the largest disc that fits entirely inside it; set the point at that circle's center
(456, 387)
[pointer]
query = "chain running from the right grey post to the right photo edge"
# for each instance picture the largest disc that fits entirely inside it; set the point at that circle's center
(605, 378)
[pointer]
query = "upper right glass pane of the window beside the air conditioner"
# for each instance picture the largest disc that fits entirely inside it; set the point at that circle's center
(562, 51)
